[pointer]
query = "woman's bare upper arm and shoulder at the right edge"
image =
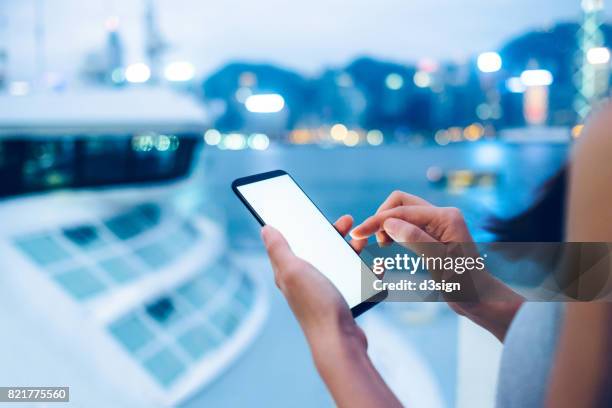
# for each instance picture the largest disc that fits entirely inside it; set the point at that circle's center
(582, 365)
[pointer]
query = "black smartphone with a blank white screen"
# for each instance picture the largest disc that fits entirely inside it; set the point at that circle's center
(274, 198)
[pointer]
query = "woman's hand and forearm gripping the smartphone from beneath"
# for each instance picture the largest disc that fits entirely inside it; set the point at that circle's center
(337, 344)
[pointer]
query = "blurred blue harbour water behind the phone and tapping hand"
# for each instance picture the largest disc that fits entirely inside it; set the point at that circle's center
(356, 181)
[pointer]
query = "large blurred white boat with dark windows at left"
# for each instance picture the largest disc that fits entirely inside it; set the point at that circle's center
(124, 294)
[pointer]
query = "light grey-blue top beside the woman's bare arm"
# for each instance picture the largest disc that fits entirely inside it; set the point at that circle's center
(528, 355)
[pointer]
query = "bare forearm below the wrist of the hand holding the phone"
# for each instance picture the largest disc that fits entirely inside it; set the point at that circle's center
(346, 369)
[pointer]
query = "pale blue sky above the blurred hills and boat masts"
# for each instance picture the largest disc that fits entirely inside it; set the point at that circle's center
(202, 36)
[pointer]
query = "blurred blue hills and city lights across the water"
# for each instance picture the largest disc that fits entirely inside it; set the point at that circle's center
(530, 81)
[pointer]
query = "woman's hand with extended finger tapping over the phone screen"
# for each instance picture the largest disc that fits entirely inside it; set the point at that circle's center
(418, 225)
